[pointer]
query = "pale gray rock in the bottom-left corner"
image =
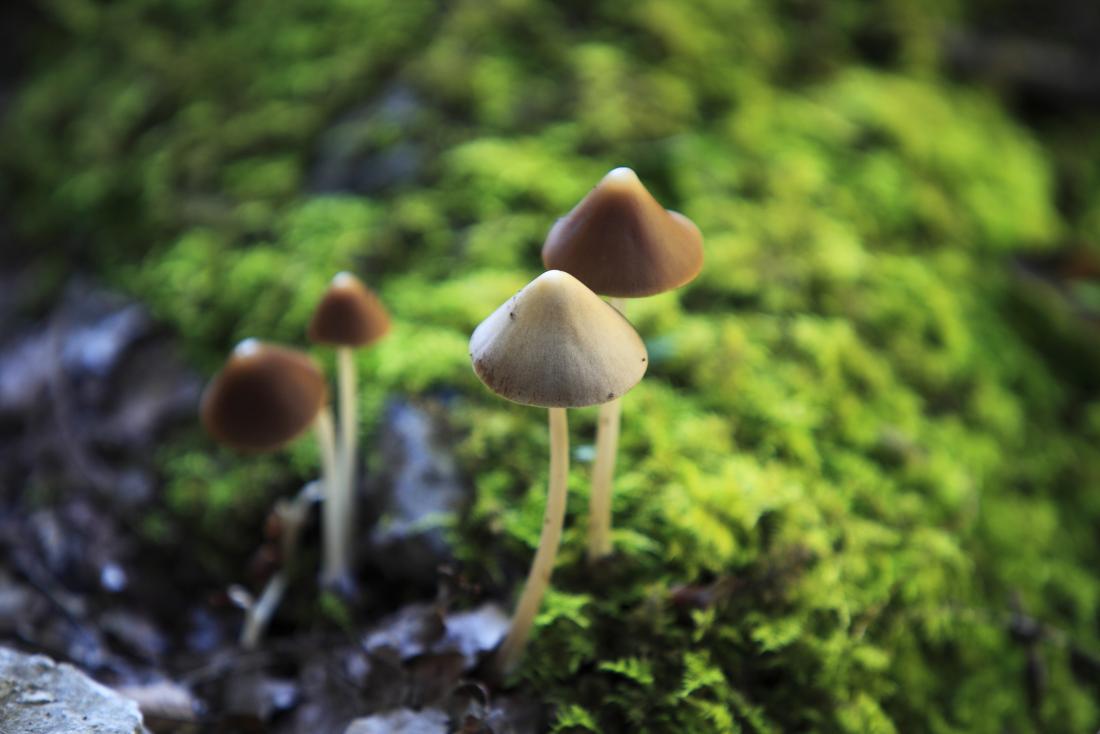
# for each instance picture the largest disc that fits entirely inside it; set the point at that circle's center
(41, 697)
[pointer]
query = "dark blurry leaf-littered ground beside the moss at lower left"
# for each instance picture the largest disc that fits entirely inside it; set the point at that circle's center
(84, 400)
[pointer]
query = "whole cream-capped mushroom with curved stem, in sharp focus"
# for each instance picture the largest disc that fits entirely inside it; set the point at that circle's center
(554, 345)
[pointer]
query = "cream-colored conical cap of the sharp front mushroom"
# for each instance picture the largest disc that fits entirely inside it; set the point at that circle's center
(558, 345)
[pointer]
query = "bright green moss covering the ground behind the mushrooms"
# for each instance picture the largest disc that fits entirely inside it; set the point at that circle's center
(851, 466)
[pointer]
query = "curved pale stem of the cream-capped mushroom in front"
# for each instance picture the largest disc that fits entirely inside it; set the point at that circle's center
(538, 579)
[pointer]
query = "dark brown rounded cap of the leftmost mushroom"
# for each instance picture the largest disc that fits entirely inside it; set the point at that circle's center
(265, 398)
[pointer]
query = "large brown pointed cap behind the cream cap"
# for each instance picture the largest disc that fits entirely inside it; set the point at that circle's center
(620, 242)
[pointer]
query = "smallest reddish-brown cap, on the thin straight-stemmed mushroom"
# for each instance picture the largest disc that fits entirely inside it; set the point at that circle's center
(349, 315)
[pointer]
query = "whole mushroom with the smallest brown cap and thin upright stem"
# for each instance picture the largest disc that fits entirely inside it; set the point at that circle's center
(348, 317)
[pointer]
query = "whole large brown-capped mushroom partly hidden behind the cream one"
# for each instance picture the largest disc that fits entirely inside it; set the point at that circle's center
(622, 244)
